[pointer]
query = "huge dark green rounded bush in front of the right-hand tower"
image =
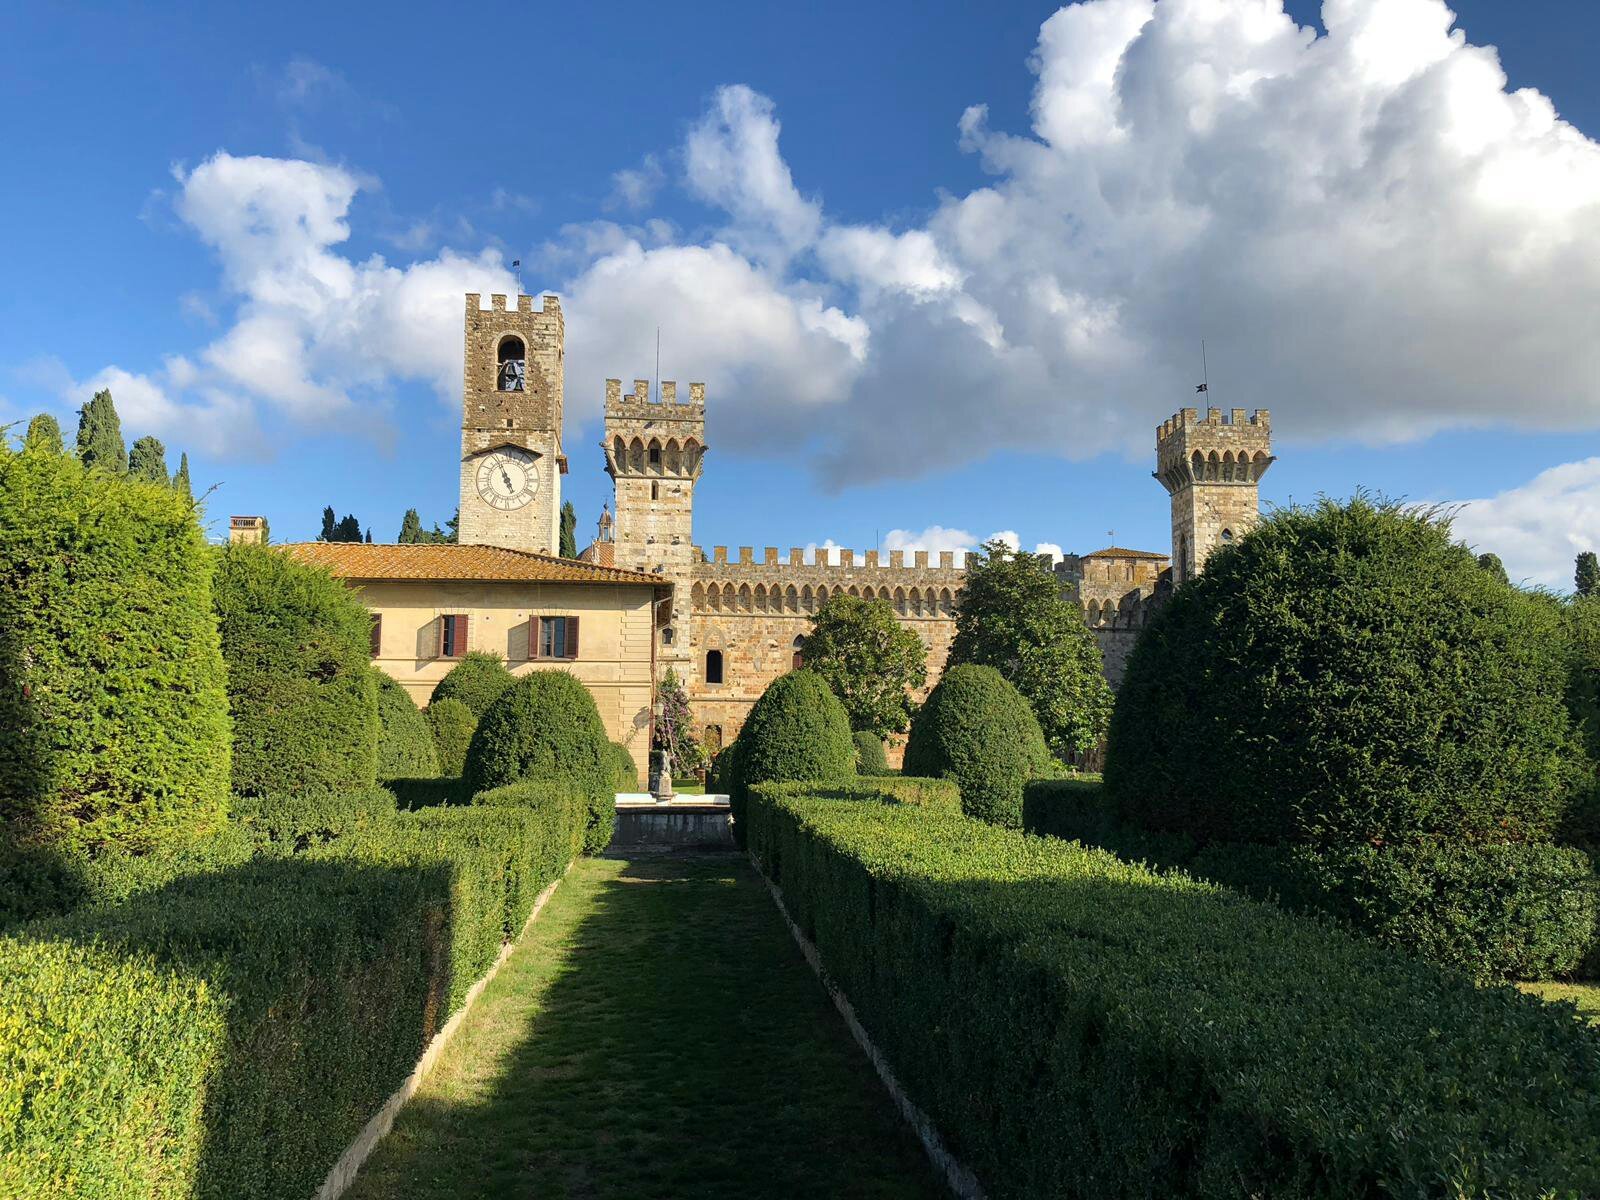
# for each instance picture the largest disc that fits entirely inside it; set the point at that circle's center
(1346, 674)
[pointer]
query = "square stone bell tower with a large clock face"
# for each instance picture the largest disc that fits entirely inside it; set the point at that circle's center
(511, 425)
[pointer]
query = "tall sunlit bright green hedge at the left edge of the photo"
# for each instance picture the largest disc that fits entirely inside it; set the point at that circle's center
(114, 730)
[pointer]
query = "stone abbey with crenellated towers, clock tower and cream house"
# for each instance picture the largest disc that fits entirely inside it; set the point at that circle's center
(646, 596)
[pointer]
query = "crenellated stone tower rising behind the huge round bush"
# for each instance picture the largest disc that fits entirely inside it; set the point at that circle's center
(1212, 468)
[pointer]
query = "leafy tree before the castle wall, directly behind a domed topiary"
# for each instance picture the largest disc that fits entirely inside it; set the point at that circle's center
(1012, 618)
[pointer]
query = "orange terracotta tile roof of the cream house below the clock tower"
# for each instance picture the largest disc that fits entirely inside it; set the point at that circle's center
(359, 561)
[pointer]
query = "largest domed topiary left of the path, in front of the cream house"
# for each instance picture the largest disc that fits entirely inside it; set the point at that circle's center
(546, 727)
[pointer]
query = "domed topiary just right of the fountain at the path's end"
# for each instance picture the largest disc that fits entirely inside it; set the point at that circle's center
(798, 730)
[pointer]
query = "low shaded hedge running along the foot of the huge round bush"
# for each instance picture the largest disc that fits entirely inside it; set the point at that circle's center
(1497, 913)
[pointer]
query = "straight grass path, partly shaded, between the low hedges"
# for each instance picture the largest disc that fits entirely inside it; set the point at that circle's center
(657, 1034)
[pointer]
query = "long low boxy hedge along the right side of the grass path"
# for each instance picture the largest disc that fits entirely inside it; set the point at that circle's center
(1079, 1026)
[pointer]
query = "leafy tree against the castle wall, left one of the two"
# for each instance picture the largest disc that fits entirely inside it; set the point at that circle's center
(870, 660)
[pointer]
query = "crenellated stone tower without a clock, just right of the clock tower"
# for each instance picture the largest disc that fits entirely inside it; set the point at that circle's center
(654, 452)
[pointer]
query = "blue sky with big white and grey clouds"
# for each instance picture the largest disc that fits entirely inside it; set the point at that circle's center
(942, 266)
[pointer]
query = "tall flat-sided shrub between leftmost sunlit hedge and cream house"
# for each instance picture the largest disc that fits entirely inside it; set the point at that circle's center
(298, 676)
